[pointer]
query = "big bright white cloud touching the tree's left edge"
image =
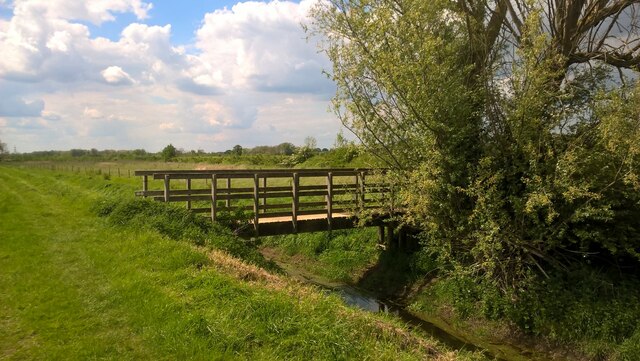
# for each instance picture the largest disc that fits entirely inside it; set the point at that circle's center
(261, 46)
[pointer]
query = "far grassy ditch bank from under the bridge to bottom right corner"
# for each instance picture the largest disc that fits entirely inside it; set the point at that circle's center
(588, 313)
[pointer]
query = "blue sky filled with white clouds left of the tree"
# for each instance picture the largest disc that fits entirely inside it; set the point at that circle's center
(129, 74)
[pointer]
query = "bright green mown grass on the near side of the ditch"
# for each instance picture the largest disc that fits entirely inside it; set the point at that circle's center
(78, 286)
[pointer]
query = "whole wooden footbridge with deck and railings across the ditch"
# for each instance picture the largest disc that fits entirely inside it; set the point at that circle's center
(274, 201)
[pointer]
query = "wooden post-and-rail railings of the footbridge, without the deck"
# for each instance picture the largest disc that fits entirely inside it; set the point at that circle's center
(260, 193)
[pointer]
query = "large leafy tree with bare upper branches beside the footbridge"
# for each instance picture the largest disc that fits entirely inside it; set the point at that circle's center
(513, 126)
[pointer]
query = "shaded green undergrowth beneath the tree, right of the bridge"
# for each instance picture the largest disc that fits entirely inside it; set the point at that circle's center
(598, 311)
